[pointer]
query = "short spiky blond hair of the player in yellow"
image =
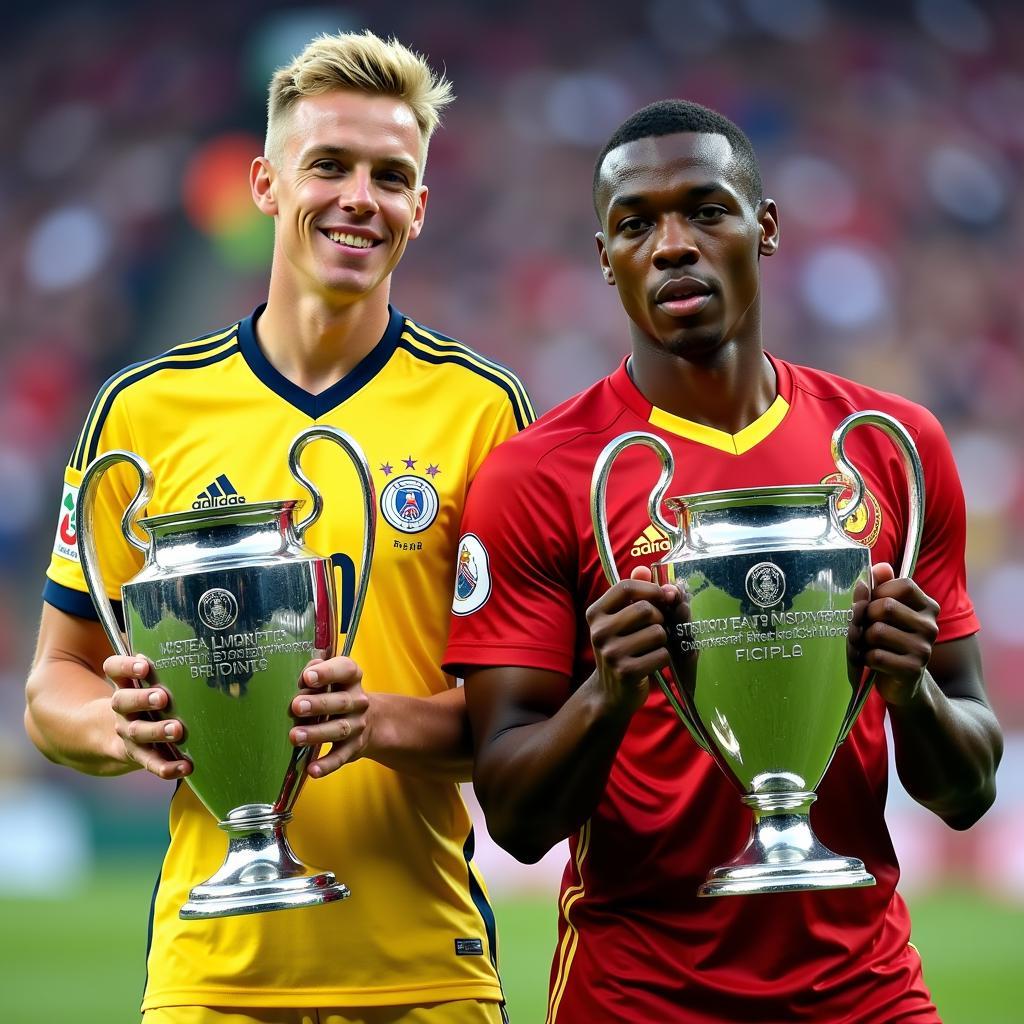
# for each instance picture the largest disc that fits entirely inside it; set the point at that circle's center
(365, 63)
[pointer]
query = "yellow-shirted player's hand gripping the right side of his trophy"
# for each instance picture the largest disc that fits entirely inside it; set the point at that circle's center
(332, 689)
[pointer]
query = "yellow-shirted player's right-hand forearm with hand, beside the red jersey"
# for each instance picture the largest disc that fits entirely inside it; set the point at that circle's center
(417, 736)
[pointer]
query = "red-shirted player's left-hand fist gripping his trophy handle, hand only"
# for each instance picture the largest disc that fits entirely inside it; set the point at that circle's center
(628, 632)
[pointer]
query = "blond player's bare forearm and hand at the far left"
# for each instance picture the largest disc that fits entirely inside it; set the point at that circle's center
(74, 717)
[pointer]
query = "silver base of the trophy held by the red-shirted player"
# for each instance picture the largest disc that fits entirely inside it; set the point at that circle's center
(784, 856)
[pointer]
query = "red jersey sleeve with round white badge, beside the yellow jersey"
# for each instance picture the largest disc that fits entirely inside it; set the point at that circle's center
(515, 602)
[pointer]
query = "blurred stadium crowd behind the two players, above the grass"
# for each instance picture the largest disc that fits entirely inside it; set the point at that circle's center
(891, 136)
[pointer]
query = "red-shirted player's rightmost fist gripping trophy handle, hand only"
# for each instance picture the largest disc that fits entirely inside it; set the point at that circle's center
(893, 633)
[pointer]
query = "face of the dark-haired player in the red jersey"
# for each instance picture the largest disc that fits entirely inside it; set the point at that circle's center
(681, 241)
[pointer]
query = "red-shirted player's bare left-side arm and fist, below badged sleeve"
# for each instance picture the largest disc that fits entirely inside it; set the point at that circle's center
(543, 754)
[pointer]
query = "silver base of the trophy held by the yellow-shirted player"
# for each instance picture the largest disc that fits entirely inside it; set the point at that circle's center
(261, 872)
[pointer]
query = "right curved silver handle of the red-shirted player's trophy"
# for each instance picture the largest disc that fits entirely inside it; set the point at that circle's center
(916, 500)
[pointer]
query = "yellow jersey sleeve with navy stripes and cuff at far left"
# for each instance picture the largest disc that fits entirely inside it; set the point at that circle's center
(66, 587)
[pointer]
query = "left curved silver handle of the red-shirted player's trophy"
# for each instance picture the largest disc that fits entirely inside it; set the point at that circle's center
(600, 520)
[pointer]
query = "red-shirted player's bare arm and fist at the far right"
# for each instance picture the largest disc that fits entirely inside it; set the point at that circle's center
(948, 741)
